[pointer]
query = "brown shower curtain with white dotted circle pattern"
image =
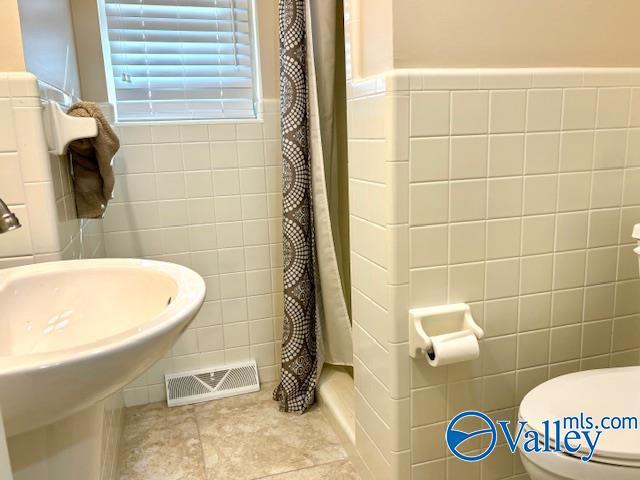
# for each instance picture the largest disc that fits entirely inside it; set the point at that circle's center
(296, 391)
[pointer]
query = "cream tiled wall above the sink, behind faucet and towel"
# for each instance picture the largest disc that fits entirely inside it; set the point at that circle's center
(35, 184)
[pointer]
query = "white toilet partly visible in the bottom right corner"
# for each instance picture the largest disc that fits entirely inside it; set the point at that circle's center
(597, 393)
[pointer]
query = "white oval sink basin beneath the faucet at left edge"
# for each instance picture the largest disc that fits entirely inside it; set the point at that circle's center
(74, 332)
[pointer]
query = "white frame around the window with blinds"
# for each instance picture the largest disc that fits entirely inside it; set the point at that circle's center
(254, 36)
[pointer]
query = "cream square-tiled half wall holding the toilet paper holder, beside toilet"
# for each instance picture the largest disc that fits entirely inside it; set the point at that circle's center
(511, 190)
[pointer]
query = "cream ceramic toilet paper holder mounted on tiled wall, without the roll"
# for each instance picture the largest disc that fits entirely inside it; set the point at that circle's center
(428, 322)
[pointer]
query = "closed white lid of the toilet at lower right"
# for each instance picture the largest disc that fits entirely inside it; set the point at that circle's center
(611, 392)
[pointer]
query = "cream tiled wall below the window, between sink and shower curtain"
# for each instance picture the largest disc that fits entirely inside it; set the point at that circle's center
(207, 196)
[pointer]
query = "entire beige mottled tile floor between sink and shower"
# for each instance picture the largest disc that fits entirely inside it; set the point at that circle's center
(239, 438)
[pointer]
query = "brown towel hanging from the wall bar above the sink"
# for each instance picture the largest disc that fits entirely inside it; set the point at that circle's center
(93, 179)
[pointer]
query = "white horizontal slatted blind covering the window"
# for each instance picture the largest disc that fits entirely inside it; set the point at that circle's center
(181, 59)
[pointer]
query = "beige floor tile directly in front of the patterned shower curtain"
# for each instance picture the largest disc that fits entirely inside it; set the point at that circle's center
(246, 437)
